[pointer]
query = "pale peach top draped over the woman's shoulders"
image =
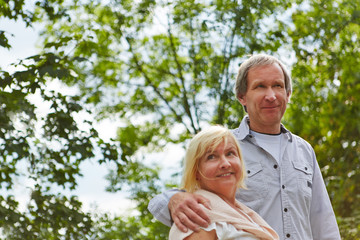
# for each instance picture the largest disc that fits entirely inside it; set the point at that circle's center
(243, 219)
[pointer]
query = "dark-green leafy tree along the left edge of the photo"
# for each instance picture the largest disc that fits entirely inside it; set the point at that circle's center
(51, 147)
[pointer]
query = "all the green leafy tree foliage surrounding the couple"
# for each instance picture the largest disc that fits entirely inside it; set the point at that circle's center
(165, 69)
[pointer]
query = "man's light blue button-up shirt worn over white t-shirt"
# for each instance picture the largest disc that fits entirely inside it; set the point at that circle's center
(290, 196)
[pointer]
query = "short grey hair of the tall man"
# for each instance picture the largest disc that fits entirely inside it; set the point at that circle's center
(256, 61)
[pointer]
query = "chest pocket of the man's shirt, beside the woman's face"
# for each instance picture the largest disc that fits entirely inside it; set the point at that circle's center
(256, 185)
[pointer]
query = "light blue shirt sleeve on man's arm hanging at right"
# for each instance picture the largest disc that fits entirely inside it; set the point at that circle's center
(322, 217)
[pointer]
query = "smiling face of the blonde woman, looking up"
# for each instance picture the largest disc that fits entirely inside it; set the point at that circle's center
(220, 170)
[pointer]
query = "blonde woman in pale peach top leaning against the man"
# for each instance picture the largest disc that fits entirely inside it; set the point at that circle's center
(214, 168)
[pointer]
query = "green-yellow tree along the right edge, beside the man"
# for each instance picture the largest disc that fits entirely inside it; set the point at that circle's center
(327, 72)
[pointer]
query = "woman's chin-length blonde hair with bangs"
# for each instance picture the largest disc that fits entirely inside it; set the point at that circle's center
(203, 142)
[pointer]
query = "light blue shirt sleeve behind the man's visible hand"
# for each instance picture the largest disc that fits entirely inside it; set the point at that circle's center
(158, 206)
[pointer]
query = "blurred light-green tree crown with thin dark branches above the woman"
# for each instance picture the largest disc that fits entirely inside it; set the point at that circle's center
(165, 74)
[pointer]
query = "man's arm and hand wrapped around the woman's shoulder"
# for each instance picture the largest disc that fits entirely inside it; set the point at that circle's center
(185, 209)
